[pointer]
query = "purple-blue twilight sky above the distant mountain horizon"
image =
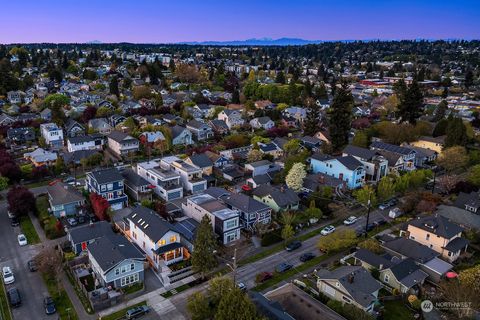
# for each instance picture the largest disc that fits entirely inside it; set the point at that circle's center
(168, 21)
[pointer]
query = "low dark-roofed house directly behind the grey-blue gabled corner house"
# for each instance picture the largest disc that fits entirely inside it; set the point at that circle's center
(80, 237)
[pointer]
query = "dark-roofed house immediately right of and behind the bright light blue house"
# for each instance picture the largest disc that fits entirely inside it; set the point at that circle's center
(376, 166)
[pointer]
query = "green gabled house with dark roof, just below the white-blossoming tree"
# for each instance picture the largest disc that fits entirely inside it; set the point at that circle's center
(281, 199)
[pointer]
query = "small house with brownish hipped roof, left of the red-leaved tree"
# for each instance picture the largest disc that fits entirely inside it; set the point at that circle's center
(64, 199)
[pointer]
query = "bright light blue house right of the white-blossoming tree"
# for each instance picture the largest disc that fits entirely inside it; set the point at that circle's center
(347, 168)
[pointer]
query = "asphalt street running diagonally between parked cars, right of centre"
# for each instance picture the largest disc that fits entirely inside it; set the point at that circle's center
(247, 273)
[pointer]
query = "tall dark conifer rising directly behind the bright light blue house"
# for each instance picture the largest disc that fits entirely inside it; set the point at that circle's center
(340, 118)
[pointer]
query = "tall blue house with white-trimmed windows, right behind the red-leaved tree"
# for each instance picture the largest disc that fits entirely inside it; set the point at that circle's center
(109, 184)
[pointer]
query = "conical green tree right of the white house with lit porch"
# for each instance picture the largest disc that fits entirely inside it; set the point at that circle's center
(203, 257)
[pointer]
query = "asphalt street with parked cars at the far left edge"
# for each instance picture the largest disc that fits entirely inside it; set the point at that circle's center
(30, 284)
